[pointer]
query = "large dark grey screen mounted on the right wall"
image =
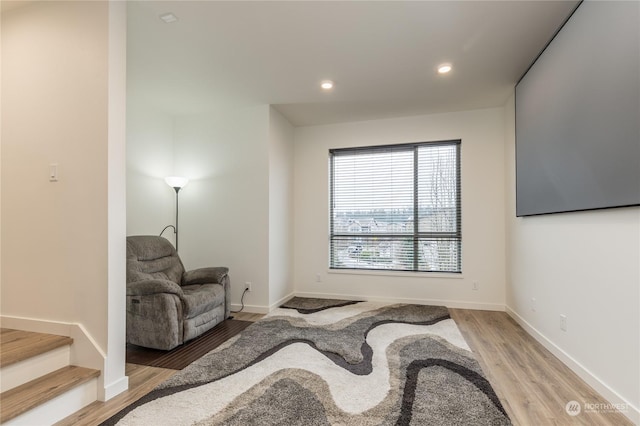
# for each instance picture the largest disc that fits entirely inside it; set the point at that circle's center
(578, 115)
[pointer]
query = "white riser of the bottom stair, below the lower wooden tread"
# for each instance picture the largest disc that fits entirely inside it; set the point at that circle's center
(60, 407)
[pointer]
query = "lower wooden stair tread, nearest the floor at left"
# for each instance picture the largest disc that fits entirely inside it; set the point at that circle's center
(38, 391)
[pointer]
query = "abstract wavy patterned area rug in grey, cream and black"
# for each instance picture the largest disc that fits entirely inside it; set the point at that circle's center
(329, 363)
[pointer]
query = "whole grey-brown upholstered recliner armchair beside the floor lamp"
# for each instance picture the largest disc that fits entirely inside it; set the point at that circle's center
(166, 305)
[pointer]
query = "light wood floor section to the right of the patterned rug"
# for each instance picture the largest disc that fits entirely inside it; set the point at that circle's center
(533, 385)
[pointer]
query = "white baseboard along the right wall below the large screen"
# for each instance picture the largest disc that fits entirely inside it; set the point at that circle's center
(632, 412)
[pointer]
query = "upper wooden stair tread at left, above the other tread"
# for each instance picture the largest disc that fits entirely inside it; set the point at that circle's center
(18, 345)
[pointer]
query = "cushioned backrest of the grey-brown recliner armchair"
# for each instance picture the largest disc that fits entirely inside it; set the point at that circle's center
(152, 257)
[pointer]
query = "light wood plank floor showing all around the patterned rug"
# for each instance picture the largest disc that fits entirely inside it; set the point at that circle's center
(532, 384)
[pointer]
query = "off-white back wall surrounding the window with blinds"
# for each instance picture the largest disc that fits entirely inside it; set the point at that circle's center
(482, 155)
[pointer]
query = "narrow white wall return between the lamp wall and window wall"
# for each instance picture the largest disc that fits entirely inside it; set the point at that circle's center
(280, 208)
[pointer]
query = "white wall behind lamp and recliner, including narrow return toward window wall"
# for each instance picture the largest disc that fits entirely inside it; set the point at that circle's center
(236, 210)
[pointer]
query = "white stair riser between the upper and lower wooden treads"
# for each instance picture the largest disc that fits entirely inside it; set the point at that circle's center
(19, 373)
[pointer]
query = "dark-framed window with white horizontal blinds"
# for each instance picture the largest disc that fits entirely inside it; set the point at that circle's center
(396, 207)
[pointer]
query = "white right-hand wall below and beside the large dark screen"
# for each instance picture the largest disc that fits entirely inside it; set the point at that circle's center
(586, 266)
